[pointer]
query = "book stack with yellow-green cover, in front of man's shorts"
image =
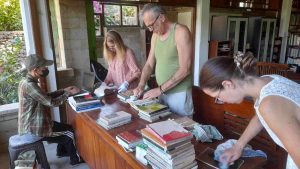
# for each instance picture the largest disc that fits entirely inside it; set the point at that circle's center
(150, 110)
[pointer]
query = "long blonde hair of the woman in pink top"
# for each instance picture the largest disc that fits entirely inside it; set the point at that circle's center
(119, 46)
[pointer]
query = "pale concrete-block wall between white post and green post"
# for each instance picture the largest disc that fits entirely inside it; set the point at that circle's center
(73, 38)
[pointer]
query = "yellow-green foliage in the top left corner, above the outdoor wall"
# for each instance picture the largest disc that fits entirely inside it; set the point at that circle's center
(10, 16)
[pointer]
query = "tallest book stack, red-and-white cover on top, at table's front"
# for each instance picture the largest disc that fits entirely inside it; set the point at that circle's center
(169, 146)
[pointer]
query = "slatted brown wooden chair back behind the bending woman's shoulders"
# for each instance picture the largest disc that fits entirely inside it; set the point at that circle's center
(265, 68)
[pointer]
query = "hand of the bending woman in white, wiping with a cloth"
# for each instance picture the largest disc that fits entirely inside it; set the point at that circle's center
(232, 154)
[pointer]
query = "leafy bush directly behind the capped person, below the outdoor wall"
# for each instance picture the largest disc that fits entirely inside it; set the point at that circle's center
(9, 66)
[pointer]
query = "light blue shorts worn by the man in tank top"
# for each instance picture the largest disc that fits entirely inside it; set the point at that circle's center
(180, 103)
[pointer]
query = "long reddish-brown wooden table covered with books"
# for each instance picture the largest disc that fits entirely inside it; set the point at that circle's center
(100, 149)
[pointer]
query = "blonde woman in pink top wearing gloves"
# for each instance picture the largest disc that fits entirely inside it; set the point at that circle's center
(122, 68)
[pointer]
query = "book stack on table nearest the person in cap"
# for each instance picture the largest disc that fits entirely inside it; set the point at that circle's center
(84, 102)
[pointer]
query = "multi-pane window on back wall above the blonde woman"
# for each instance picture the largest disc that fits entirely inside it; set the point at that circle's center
(114, 15)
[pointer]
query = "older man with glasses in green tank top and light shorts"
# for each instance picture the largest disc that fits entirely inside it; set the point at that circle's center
(171, 56)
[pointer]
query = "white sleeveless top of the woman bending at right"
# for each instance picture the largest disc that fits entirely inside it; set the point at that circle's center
(287, 89)
